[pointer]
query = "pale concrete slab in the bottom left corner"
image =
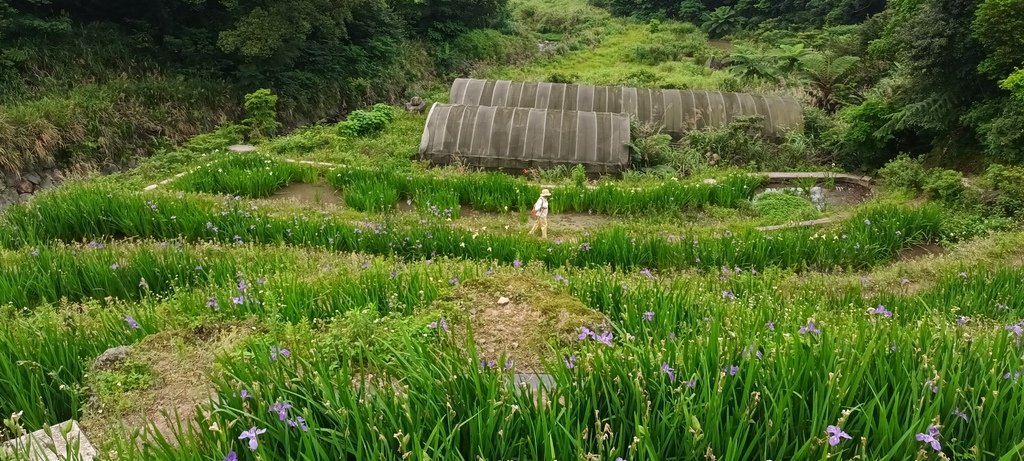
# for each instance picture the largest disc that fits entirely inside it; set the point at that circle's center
(59, 443)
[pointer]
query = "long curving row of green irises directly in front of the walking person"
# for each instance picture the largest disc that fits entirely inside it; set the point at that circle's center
(83, 213)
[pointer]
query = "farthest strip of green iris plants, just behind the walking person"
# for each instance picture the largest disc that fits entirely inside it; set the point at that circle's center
(379, 190)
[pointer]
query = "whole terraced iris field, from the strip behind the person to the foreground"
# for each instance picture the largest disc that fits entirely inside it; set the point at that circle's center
(389, 327)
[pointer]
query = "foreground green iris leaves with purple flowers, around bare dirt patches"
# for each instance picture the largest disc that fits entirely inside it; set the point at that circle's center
(696, 330)
